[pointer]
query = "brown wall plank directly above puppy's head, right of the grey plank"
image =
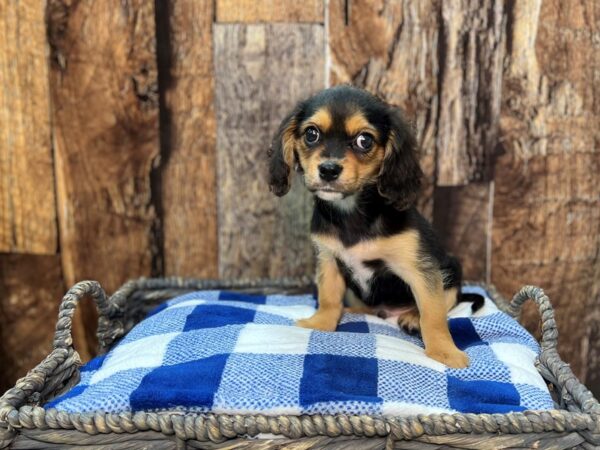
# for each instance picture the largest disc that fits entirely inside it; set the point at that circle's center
(389, 48)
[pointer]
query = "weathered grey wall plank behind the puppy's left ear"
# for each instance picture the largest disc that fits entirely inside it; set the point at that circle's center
(261, 71)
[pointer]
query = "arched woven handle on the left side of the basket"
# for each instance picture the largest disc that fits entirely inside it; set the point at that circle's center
(63, 336)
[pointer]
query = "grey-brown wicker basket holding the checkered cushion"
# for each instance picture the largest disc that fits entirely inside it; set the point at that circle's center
(575, 423)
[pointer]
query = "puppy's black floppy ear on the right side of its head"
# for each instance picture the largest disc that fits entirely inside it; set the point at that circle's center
(400, 176)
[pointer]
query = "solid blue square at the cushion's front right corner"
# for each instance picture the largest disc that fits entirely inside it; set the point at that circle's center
(483, 397)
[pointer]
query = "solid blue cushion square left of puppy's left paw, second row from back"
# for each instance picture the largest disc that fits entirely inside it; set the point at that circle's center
(212, 316)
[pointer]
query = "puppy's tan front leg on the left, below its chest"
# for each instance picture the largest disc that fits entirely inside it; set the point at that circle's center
(331, 293)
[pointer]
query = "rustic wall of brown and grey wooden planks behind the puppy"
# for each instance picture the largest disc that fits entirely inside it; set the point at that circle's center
(136, 133)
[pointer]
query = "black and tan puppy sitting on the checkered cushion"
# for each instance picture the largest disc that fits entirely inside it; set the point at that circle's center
(358, 156)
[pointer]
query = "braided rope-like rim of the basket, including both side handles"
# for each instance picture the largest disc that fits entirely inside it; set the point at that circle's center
(60, 368)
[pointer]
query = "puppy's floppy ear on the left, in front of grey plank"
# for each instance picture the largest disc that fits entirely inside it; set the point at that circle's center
(281, 155)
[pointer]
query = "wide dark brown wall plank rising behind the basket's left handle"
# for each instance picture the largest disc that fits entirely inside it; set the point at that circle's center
(105, 112)
